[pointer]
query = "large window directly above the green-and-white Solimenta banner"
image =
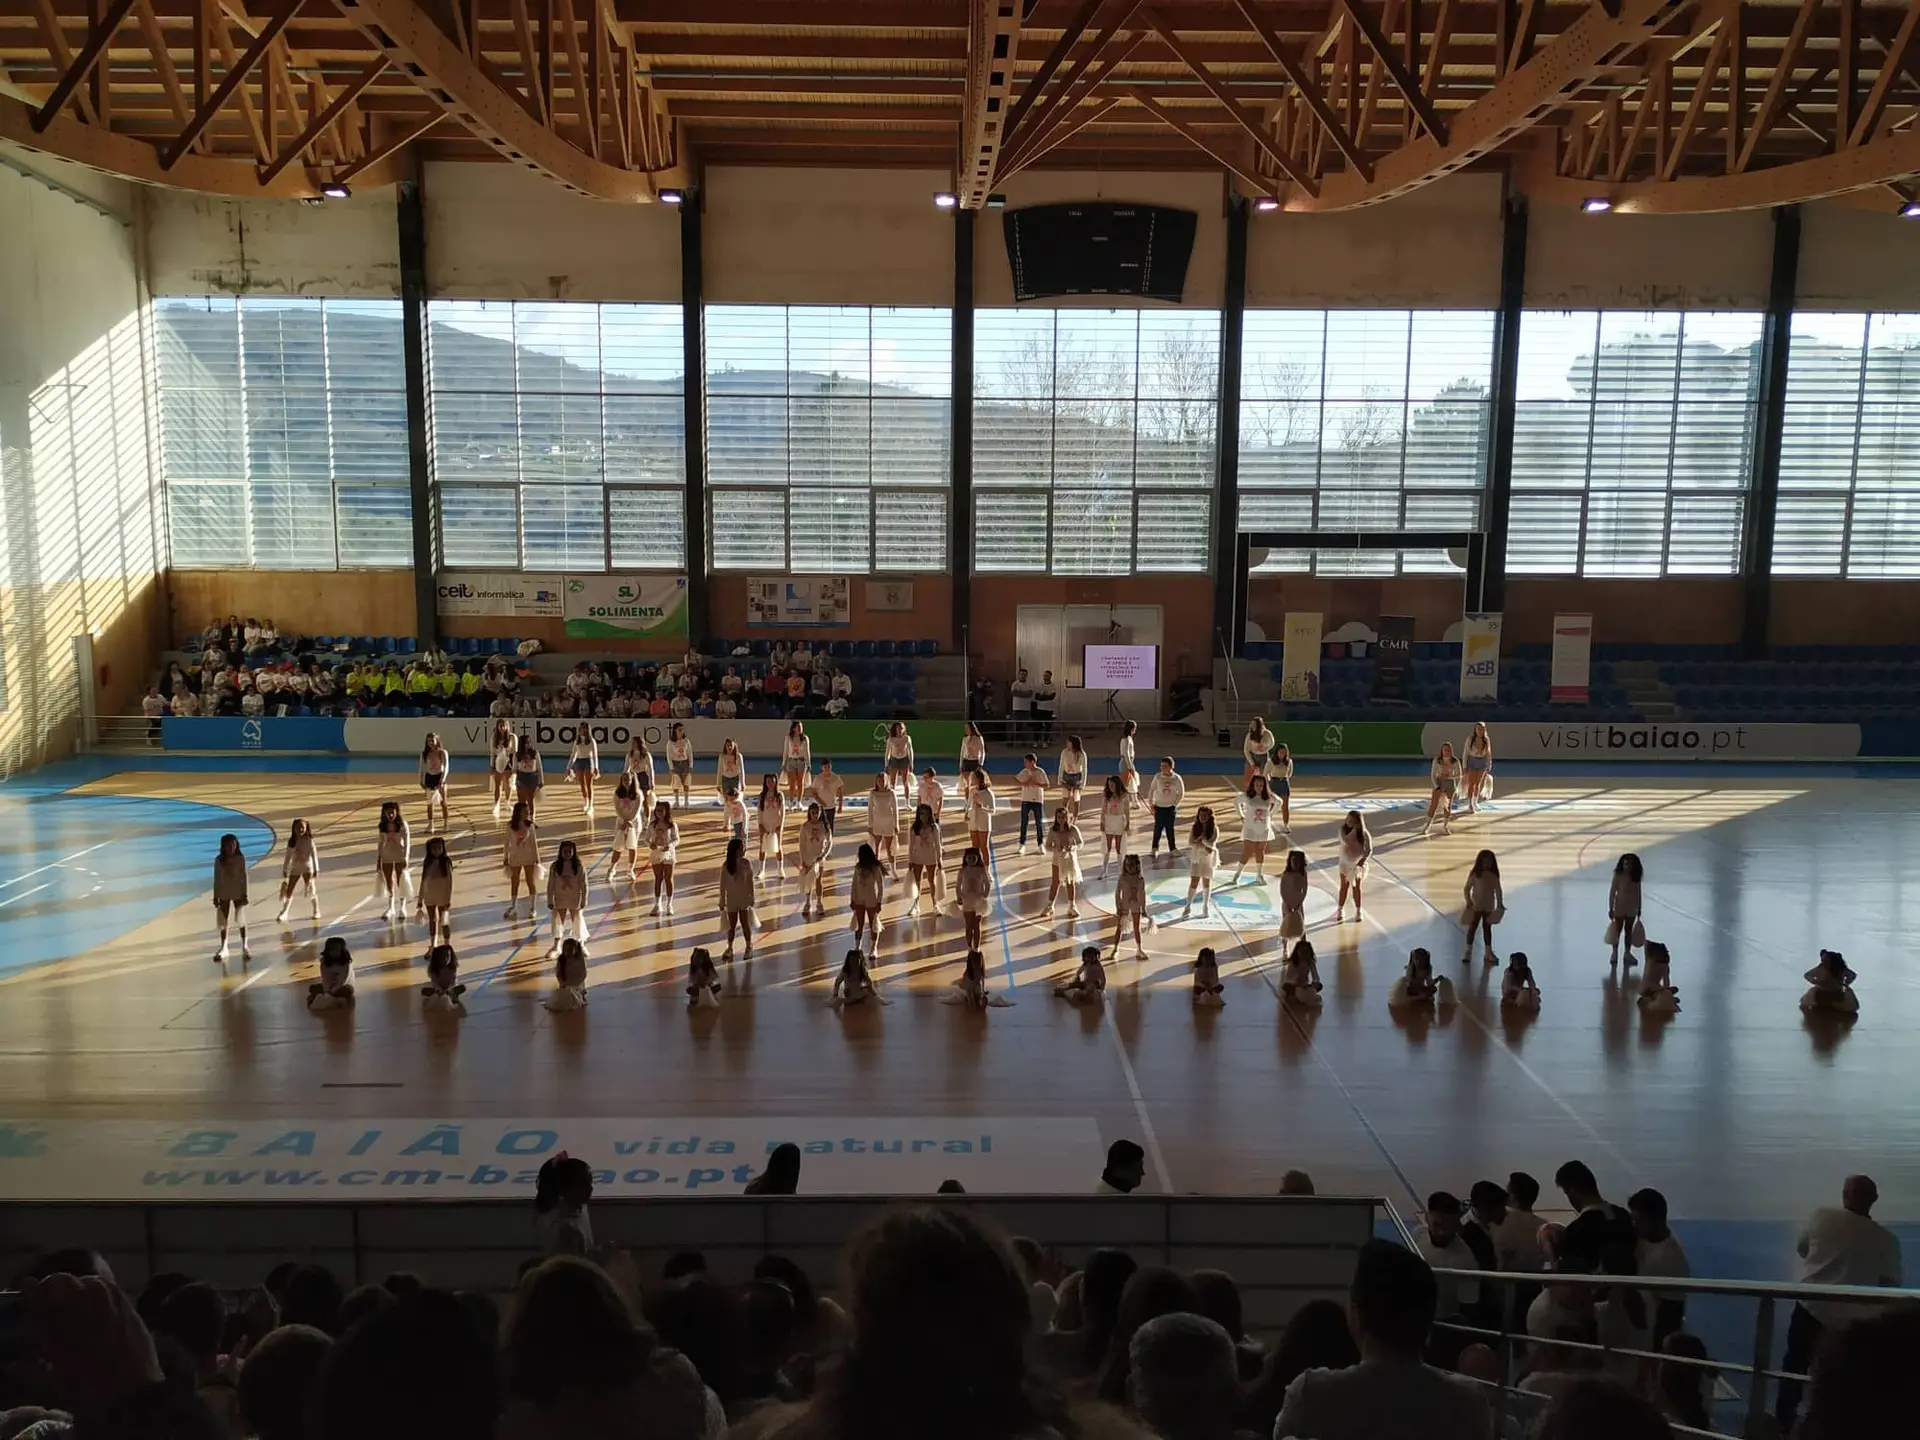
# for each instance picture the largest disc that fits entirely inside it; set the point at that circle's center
(558, 435)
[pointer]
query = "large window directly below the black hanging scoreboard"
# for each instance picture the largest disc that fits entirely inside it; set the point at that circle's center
(1093, 441)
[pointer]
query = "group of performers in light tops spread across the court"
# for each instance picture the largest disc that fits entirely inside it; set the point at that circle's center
(650, 823)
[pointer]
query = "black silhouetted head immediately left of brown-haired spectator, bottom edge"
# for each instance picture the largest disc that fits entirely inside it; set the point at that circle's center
(416, 1372)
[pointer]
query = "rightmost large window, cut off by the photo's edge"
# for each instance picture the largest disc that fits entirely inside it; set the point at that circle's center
(1850, 452)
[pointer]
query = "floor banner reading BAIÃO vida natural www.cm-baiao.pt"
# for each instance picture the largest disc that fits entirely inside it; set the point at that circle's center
(498, 1159)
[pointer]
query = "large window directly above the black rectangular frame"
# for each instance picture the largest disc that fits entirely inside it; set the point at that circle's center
(1364, 420)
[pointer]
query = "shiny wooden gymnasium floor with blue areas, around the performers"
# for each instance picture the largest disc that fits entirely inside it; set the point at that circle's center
(1739, 1109)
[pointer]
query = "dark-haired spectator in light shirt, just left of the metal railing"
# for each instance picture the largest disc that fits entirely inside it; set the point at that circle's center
(1391, 1395)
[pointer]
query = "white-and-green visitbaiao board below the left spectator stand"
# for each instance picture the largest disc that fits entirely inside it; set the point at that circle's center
(940, 740)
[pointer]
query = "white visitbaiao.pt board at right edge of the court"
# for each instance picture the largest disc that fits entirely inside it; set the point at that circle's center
(1666, 742)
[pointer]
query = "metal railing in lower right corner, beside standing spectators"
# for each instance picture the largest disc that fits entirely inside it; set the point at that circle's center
(1746, 1383)
